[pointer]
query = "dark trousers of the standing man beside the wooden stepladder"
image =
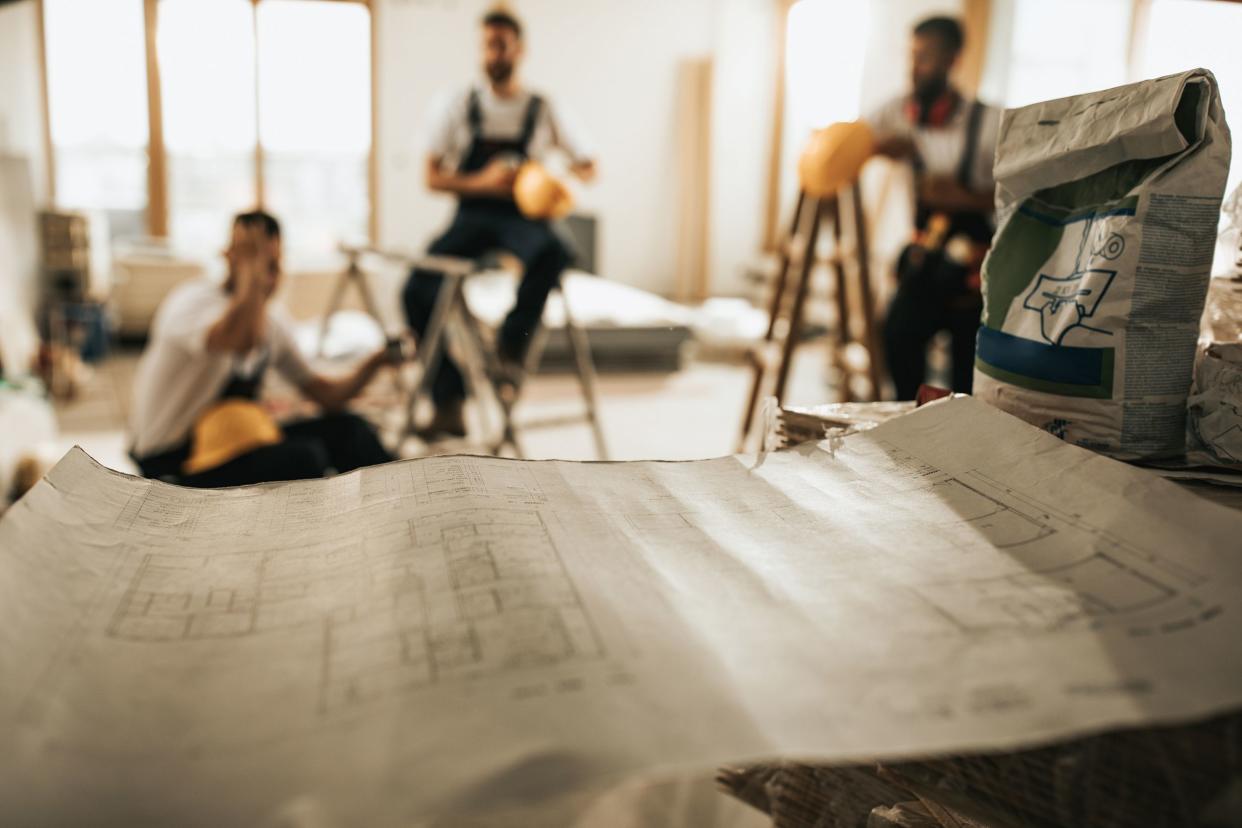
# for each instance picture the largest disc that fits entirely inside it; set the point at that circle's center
(927, 302)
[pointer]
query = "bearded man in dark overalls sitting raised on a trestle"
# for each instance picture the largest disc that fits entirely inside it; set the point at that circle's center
(478, 146)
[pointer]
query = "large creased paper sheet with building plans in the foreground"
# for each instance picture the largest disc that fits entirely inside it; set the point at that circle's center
(451, 634)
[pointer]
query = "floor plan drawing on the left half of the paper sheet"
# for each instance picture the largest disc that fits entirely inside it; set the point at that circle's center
(479, 592)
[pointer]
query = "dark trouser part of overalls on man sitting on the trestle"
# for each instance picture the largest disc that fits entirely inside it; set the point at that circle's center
(474, 233)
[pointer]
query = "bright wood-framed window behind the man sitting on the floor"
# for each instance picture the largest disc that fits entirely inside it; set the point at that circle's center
(263, 102)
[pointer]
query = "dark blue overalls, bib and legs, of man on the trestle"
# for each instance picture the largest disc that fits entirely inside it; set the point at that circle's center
(484, 225)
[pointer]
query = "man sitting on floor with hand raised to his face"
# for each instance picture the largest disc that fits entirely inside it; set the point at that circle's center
(196, 416)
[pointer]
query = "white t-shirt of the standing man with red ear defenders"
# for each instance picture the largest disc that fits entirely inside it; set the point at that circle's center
(941, 148)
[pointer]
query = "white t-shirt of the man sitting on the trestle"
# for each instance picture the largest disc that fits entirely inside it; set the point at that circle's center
(504, 119)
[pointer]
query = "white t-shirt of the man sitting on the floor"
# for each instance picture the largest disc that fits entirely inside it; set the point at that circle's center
(178, 378)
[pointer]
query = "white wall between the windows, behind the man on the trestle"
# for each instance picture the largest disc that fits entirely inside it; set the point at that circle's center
(614, 65)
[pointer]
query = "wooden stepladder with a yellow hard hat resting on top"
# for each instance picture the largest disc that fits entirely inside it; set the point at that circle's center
(855, 351)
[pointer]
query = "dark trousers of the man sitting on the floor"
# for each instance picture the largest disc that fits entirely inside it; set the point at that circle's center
(311, 449)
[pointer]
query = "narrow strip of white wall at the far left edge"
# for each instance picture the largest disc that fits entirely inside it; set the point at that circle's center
(22, 120)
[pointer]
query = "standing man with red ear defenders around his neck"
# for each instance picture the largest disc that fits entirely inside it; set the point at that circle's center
(951, 142)
